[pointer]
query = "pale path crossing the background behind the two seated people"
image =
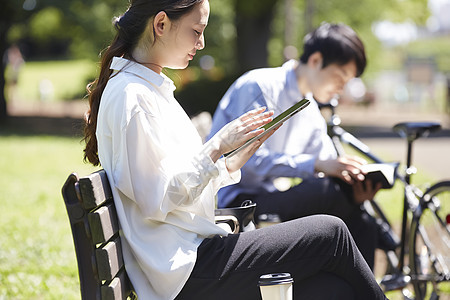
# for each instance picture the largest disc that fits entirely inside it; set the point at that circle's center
(371, 124)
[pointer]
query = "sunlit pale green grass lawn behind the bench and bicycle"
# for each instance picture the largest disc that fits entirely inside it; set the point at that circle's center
(37, 258)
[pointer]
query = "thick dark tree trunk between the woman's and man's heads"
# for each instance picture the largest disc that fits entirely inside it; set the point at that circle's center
(253, 20)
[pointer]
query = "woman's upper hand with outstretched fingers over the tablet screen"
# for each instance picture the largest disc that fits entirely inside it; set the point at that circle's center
(238, 131)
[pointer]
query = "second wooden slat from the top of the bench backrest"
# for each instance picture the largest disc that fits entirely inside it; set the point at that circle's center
(103, 223)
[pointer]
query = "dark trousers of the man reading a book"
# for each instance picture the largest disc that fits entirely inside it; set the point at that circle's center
(320, 196)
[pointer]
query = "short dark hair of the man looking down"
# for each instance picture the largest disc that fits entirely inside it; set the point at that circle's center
(337, 43)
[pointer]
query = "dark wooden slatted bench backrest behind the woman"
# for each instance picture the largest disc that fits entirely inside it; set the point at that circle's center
(95, 231)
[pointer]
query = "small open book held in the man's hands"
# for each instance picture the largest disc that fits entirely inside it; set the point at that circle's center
(383, 172)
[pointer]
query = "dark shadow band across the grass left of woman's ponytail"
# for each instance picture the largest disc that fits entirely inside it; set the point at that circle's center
(42, 125)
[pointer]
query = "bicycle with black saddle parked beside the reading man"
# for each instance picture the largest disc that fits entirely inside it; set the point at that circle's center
(419, 261)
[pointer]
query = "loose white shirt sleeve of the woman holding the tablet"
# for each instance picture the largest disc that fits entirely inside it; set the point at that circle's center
(159, 181)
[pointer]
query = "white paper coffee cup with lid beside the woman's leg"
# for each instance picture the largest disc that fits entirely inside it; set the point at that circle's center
(276, 286)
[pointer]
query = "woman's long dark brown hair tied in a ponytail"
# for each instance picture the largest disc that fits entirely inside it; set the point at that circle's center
(130, 27)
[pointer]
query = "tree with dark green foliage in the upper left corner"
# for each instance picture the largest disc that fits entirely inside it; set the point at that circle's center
(55, 28)
